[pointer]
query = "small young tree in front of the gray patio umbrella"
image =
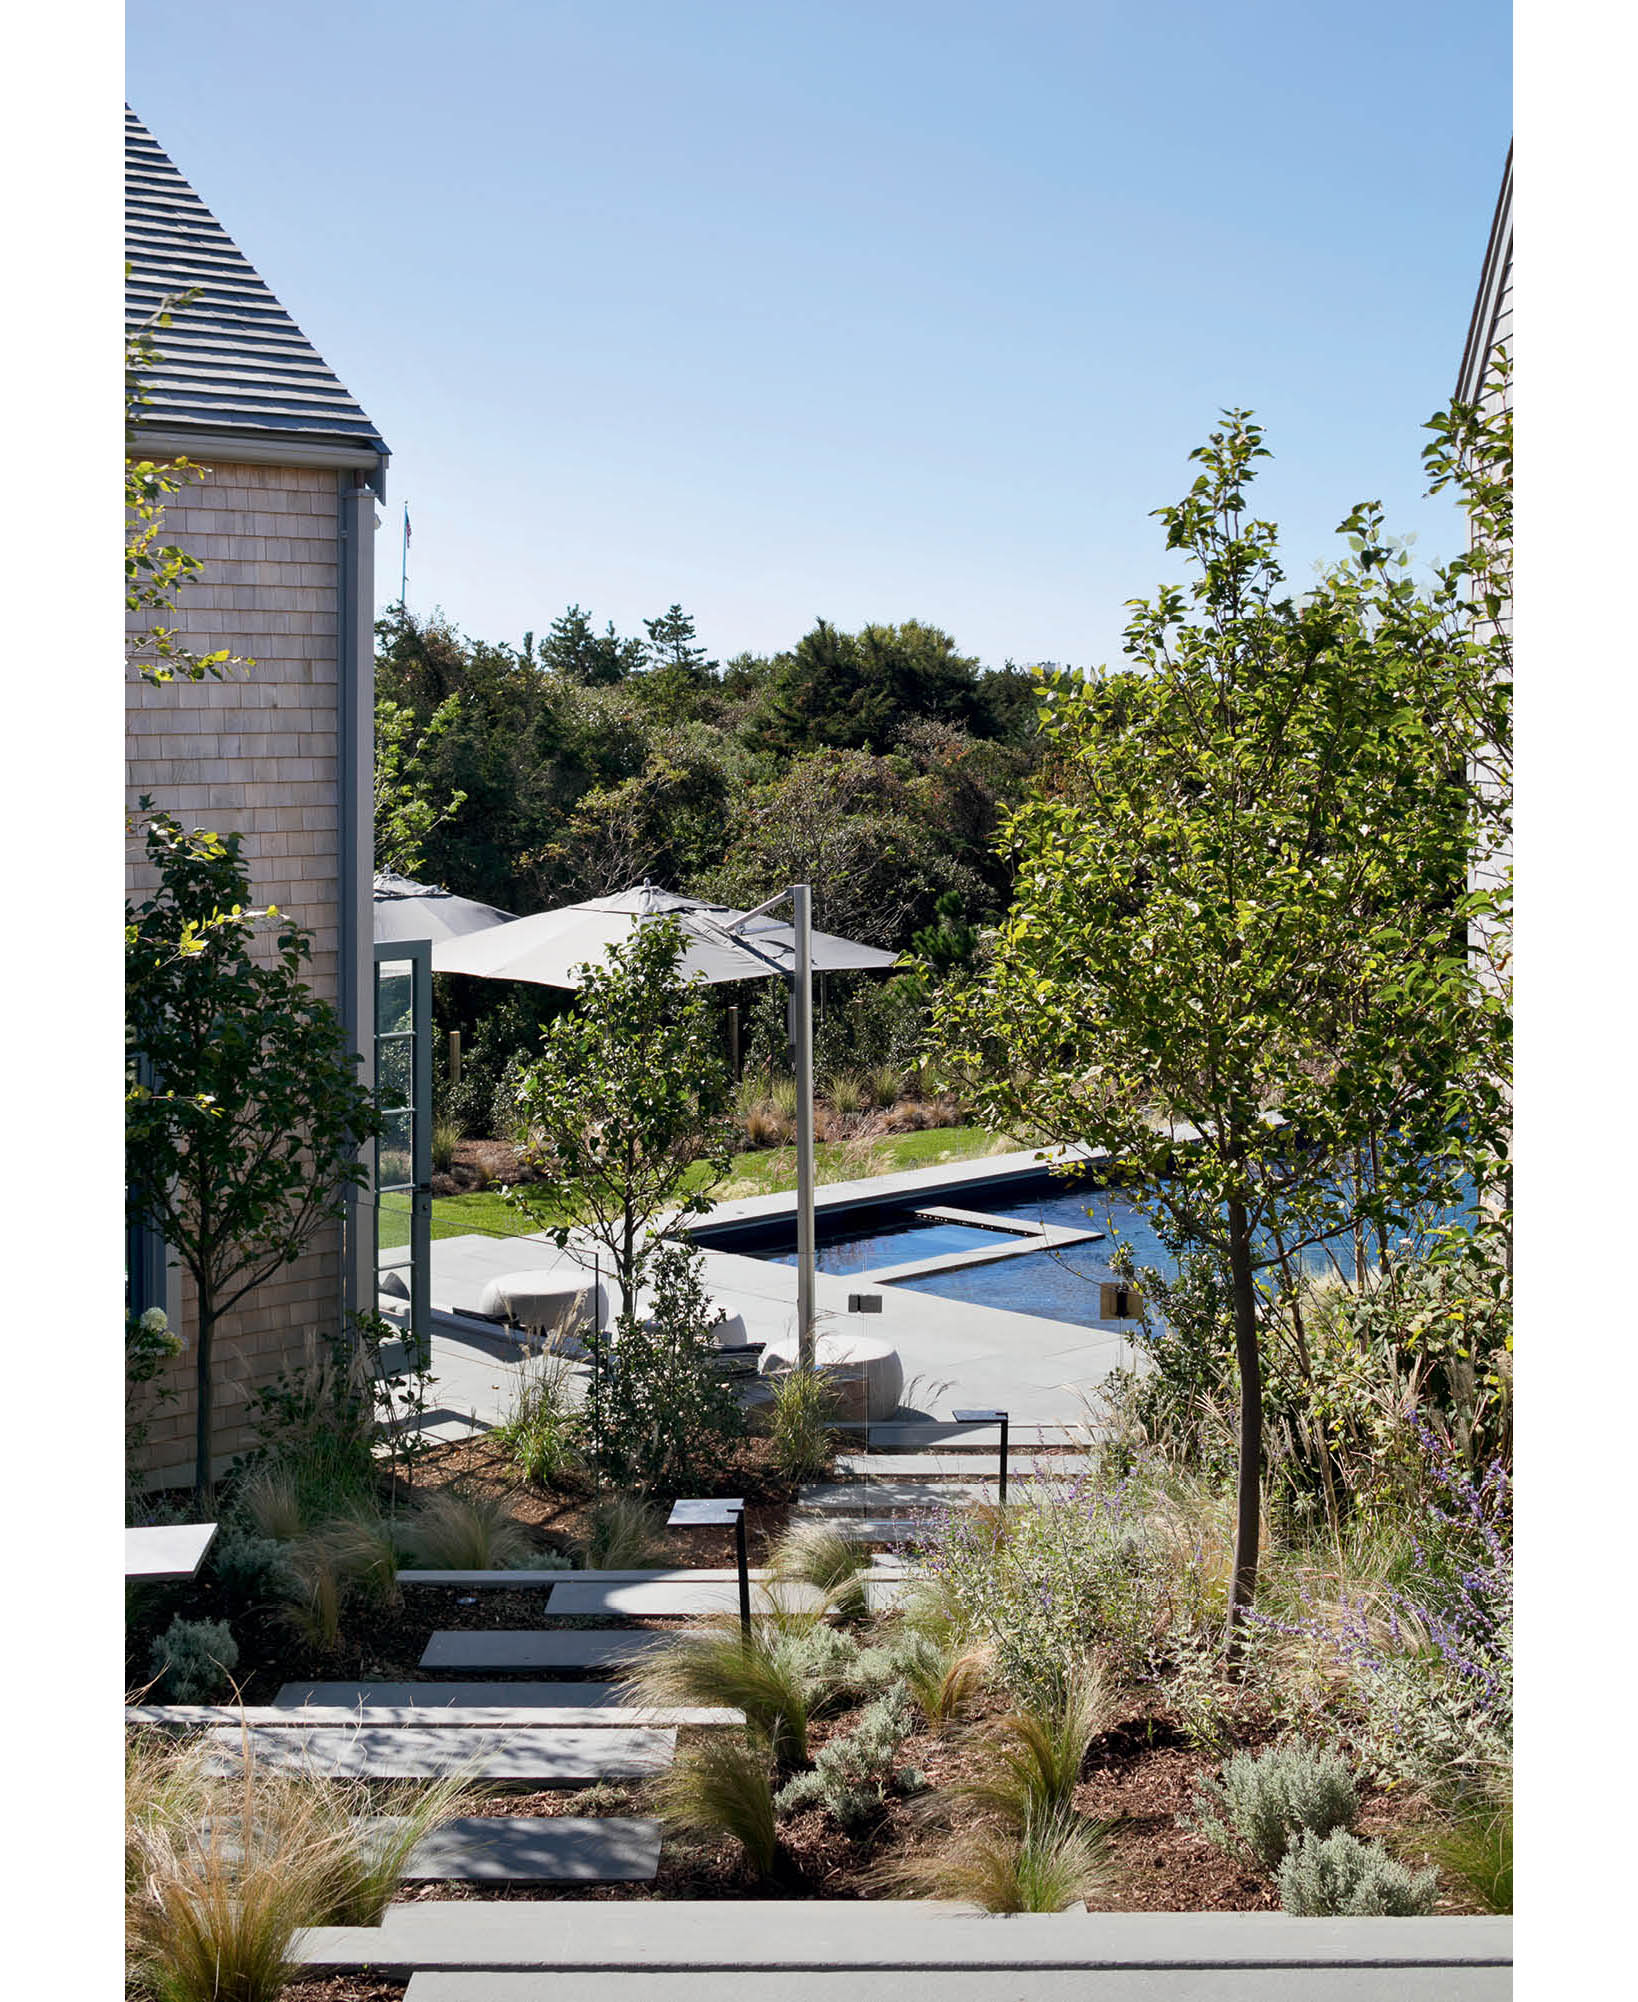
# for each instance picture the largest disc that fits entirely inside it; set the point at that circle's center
(626, 1106)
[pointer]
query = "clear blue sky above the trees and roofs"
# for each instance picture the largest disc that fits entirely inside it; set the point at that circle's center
(866, 311)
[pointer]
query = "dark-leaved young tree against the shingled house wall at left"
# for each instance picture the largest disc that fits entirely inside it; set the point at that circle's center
(245, 1114)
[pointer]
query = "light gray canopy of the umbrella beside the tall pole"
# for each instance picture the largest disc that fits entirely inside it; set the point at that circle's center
(554, 946)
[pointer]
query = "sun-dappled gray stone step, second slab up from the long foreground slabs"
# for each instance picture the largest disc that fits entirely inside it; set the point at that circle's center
(432, 1753)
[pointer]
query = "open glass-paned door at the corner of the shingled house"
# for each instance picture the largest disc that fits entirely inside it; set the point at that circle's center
(403, 1156)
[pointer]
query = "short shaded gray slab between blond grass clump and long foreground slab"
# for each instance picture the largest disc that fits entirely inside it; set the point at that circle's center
(550, 1849)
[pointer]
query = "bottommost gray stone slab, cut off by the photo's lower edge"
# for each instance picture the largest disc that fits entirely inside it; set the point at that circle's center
(984, 1985)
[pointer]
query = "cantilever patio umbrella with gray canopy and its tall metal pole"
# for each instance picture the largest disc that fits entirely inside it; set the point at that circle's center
(722, 946)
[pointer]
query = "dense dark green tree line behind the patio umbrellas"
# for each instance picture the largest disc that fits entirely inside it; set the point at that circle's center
(876, 764)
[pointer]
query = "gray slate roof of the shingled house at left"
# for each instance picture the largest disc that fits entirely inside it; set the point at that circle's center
(233, 363)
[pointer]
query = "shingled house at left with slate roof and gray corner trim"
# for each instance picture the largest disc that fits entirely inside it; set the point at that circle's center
(285, 526)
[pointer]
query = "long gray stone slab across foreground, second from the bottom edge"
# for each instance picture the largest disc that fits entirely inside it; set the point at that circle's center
(840, 1935)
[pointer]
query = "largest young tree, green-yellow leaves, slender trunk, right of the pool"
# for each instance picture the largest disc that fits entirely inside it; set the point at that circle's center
(1235, 954)
